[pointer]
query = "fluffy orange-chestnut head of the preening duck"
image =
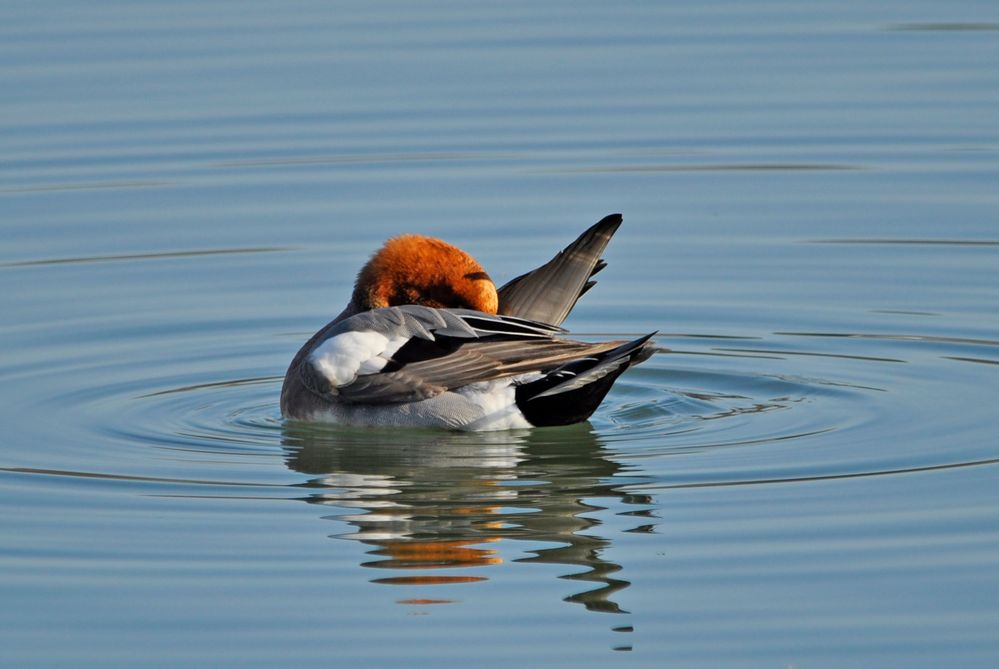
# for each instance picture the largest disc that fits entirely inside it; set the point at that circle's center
(413, 269)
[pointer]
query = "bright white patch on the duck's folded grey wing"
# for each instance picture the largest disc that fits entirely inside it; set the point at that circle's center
(341, 359)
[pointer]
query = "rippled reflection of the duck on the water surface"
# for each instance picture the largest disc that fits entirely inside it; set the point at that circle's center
(432, 502)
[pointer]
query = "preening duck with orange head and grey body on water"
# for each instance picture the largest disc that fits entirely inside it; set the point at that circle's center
(428, 340)
